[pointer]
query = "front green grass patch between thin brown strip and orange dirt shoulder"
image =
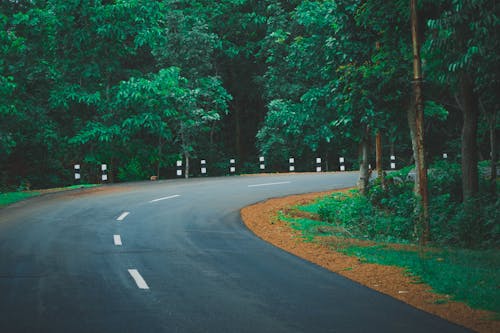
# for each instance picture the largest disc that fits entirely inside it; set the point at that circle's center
(465, 275)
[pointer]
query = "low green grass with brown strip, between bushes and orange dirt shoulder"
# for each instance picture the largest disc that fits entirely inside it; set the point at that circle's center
(470, 276)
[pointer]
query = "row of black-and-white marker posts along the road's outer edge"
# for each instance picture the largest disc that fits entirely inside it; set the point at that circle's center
(232, 166)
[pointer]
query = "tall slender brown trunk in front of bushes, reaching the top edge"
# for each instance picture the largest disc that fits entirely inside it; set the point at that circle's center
(420, 165)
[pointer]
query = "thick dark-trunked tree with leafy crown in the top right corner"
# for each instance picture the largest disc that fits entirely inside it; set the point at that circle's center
(465, 29)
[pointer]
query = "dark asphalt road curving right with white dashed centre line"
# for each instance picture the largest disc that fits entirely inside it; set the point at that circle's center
(186, 263)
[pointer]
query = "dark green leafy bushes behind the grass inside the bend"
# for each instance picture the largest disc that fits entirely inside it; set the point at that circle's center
(389, 214)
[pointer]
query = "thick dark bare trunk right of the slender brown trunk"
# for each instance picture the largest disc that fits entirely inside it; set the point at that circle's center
(470, 176)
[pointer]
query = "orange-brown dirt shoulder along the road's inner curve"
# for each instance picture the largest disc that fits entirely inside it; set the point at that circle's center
(262, 219)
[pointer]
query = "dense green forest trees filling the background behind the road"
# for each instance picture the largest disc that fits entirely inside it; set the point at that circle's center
(140, 84)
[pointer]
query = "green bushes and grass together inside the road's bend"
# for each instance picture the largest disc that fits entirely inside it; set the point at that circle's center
(462, 259)
